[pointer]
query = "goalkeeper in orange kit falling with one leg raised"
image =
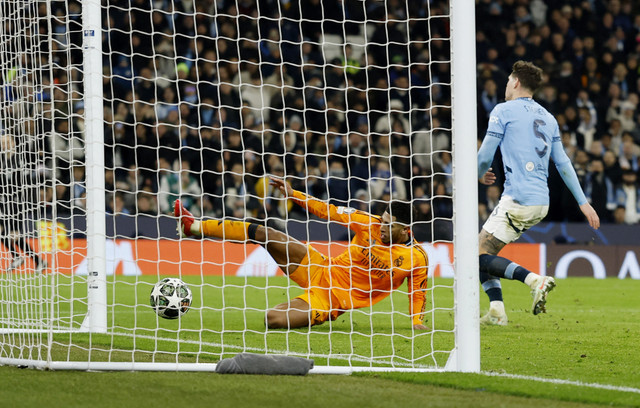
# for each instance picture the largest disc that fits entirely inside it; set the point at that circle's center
(380, 257)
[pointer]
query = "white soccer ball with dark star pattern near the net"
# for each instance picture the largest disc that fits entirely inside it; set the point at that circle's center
(171, 298)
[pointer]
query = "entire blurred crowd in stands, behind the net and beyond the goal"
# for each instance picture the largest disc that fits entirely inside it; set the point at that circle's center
(205, 100)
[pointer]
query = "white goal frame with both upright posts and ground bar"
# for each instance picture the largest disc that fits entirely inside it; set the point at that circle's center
(465, 356)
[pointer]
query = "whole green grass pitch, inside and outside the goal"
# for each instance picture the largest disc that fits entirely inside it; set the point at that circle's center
(583, 352)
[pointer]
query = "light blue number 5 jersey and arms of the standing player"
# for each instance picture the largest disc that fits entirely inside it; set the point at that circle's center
(528, 136)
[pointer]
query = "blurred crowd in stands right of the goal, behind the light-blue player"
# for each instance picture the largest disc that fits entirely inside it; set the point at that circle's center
(590, 52)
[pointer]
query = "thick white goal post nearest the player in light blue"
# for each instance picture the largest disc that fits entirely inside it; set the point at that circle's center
(467, 298)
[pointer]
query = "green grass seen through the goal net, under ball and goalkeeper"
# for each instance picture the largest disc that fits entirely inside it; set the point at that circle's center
(227, 316)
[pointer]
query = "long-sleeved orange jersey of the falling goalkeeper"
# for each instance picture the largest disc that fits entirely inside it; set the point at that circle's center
(368, 271)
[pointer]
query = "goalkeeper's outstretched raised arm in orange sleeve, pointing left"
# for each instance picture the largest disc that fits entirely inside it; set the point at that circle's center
(356, 220)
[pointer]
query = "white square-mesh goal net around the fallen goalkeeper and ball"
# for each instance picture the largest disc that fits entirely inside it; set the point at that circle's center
(112, 110)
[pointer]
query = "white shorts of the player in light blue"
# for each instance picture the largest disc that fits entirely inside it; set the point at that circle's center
(509, 220)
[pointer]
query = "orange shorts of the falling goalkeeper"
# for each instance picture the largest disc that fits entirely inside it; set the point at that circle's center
(313, 275)
